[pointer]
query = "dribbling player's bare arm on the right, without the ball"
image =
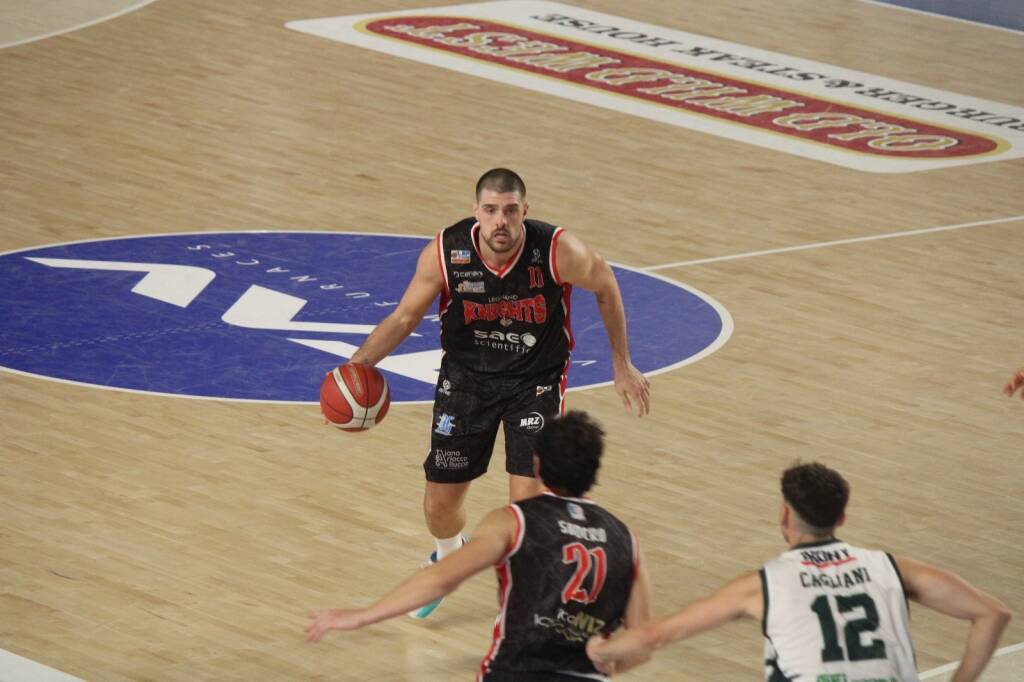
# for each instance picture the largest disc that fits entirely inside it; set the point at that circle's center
(582, 267)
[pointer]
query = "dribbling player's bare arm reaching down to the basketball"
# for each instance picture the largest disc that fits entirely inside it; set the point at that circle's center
(423, 289)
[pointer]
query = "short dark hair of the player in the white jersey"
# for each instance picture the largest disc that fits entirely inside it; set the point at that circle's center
(818, 494)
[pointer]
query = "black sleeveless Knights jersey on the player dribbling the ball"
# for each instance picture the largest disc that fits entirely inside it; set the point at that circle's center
(514, 322)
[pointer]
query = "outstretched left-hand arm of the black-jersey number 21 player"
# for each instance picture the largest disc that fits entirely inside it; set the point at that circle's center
(490, 542)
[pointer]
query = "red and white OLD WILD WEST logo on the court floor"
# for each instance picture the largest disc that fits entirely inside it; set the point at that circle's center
(775, 101)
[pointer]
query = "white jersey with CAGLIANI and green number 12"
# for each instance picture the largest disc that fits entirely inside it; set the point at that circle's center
(836, 614)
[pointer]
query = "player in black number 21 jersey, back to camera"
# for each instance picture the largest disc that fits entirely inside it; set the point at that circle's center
(568, 570)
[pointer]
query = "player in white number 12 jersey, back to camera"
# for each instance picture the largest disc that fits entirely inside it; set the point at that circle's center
(830, 613)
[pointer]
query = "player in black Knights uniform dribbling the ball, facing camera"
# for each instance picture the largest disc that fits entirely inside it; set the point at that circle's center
(504, 283)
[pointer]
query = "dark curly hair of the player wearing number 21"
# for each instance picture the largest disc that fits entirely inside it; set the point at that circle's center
(570, 449)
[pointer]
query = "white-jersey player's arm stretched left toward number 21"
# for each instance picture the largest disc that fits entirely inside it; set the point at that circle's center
(739, 599)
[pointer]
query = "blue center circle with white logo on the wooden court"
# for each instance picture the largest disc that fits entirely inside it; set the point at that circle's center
(264, 316)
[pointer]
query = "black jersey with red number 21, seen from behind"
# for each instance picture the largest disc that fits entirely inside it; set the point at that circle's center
(567, 578)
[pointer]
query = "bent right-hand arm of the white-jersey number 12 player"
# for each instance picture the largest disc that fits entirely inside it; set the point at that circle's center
(952, 595)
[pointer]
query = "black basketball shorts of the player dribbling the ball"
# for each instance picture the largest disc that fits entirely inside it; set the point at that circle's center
(467, 411)
